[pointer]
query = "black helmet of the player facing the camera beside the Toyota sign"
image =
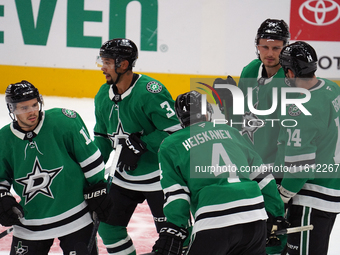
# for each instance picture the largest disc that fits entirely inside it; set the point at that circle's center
(273, 29)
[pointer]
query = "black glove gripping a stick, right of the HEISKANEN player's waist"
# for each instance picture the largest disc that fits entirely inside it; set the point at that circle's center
(274, 224)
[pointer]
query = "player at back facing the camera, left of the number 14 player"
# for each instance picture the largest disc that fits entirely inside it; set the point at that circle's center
(257, 80)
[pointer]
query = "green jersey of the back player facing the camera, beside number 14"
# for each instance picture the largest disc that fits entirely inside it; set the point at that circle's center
(261, 131)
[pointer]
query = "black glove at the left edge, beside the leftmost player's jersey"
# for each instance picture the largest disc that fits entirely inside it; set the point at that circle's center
(10, 210)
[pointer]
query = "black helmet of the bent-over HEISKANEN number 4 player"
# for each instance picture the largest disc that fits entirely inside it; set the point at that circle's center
(188, 108)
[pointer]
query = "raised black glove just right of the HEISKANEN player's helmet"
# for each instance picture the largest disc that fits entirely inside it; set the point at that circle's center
(224, 93)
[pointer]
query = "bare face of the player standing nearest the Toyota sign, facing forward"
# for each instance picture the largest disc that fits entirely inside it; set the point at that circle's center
(269, 51)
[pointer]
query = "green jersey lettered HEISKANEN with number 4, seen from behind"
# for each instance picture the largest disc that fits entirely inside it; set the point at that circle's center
(209, 170)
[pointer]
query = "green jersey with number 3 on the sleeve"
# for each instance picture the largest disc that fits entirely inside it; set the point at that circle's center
(147, 108)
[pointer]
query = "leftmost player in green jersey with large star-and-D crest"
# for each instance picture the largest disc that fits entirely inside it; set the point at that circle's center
(48, 159)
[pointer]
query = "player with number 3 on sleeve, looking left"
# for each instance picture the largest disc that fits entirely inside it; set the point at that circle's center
(135, 111)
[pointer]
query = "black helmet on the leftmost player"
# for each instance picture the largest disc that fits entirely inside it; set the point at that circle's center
(20, 92)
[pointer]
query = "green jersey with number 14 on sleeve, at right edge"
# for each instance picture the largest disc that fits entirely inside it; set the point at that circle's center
(312, 150)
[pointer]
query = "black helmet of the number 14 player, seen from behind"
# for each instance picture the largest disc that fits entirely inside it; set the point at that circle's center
(300, 57)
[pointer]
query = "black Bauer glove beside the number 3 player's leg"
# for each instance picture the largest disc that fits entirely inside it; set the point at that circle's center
(98, 200)
